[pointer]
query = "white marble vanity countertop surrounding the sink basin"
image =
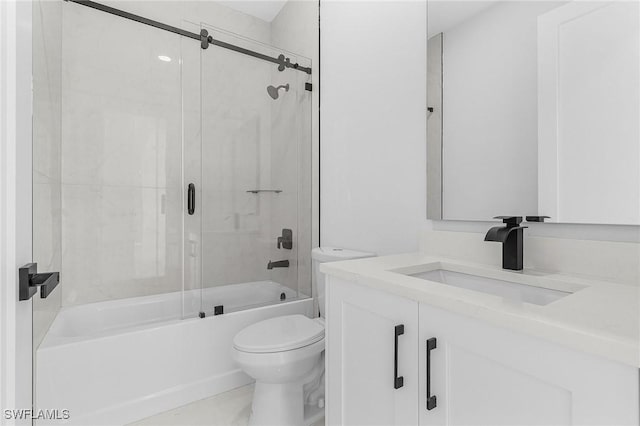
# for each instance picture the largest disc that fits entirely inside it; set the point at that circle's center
(600, 318)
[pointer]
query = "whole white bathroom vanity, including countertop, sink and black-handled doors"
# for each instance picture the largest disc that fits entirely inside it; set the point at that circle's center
(420, 339)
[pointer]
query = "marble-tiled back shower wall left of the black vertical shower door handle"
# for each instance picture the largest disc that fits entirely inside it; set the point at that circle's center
(121, 159)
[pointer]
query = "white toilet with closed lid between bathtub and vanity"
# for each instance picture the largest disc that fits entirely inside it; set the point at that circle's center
(285, 355)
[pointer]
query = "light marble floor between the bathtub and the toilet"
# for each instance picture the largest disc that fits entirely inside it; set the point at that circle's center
(227, 409)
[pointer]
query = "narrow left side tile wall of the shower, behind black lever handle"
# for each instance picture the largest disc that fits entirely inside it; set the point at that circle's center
(47, 226)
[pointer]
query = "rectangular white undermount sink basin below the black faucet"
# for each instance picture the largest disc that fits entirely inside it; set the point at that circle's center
(507, 289)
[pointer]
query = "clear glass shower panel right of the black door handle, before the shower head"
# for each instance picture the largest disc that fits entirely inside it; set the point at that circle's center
(255, 127)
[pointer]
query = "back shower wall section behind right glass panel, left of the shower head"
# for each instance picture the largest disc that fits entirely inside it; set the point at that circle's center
(236, 155)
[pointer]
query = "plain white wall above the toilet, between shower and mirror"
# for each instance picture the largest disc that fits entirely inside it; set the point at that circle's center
(373, 124)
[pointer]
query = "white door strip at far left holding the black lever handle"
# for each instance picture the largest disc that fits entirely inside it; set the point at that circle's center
(15, 205)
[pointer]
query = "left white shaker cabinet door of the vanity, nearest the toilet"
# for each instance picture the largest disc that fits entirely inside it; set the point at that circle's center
(362, 364)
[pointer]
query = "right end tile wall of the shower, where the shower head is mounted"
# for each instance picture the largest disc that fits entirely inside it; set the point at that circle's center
(290, 30)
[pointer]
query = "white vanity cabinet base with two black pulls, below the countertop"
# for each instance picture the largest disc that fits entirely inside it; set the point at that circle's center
(478, 373)
